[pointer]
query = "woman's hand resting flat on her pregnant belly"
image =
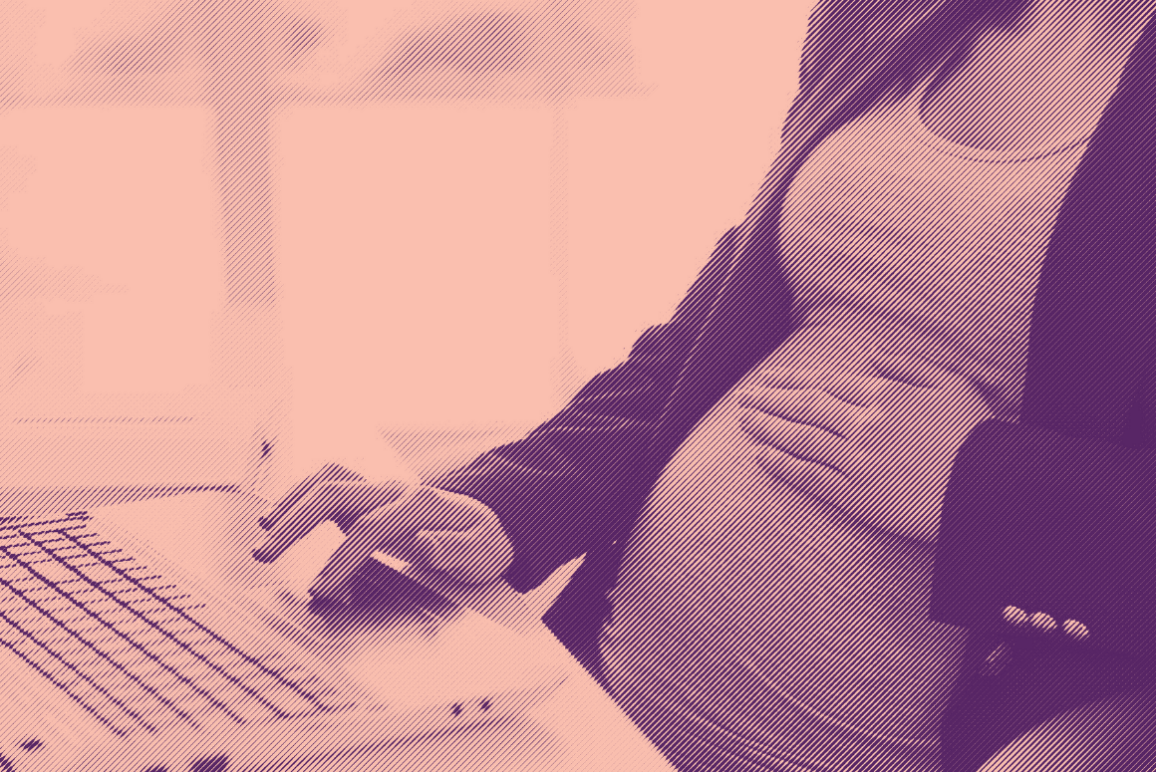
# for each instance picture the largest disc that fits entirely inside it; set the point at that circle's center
(879, 448)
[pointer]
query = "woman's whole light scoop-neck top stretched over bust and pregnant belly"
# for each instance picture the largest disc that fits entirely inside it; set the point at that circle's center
(754, 628)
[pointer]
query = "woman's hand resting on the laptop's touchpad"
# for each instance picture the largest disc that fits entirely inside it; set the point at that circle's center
(431, 528)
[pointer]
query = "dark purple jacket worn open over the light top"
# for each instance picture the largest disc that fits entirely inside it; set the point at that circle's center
(1051, 514)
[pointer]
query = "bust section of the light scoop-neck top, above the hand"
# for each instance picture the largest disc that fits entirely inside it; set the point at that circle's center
(887, 226)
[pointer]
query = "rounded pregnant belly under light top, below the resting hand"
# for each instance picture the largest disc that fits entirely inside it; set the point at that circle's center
(742, 596)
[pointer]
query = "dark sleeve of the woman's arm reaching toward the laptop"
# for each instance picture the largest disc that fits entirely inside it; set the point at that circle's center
(559, 489)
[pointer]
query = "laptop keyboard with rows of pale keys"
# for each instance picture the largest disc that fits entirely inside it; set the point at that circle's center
(128, 644)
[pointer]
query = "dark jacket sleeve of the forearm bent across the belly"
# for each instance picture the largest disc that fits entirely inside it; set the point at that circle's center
(1048, 523)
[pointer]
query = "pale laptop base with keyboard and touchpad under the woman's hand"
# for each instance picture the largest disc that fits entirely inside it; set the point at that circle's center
(142, 639)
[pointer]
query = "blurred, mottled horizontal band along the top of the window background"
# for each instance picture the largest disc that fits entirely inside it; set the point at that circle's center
(232, 50)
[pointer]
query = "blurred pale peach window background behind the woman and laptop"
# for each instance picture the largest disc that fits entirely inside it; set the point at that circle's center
(429, 221)
